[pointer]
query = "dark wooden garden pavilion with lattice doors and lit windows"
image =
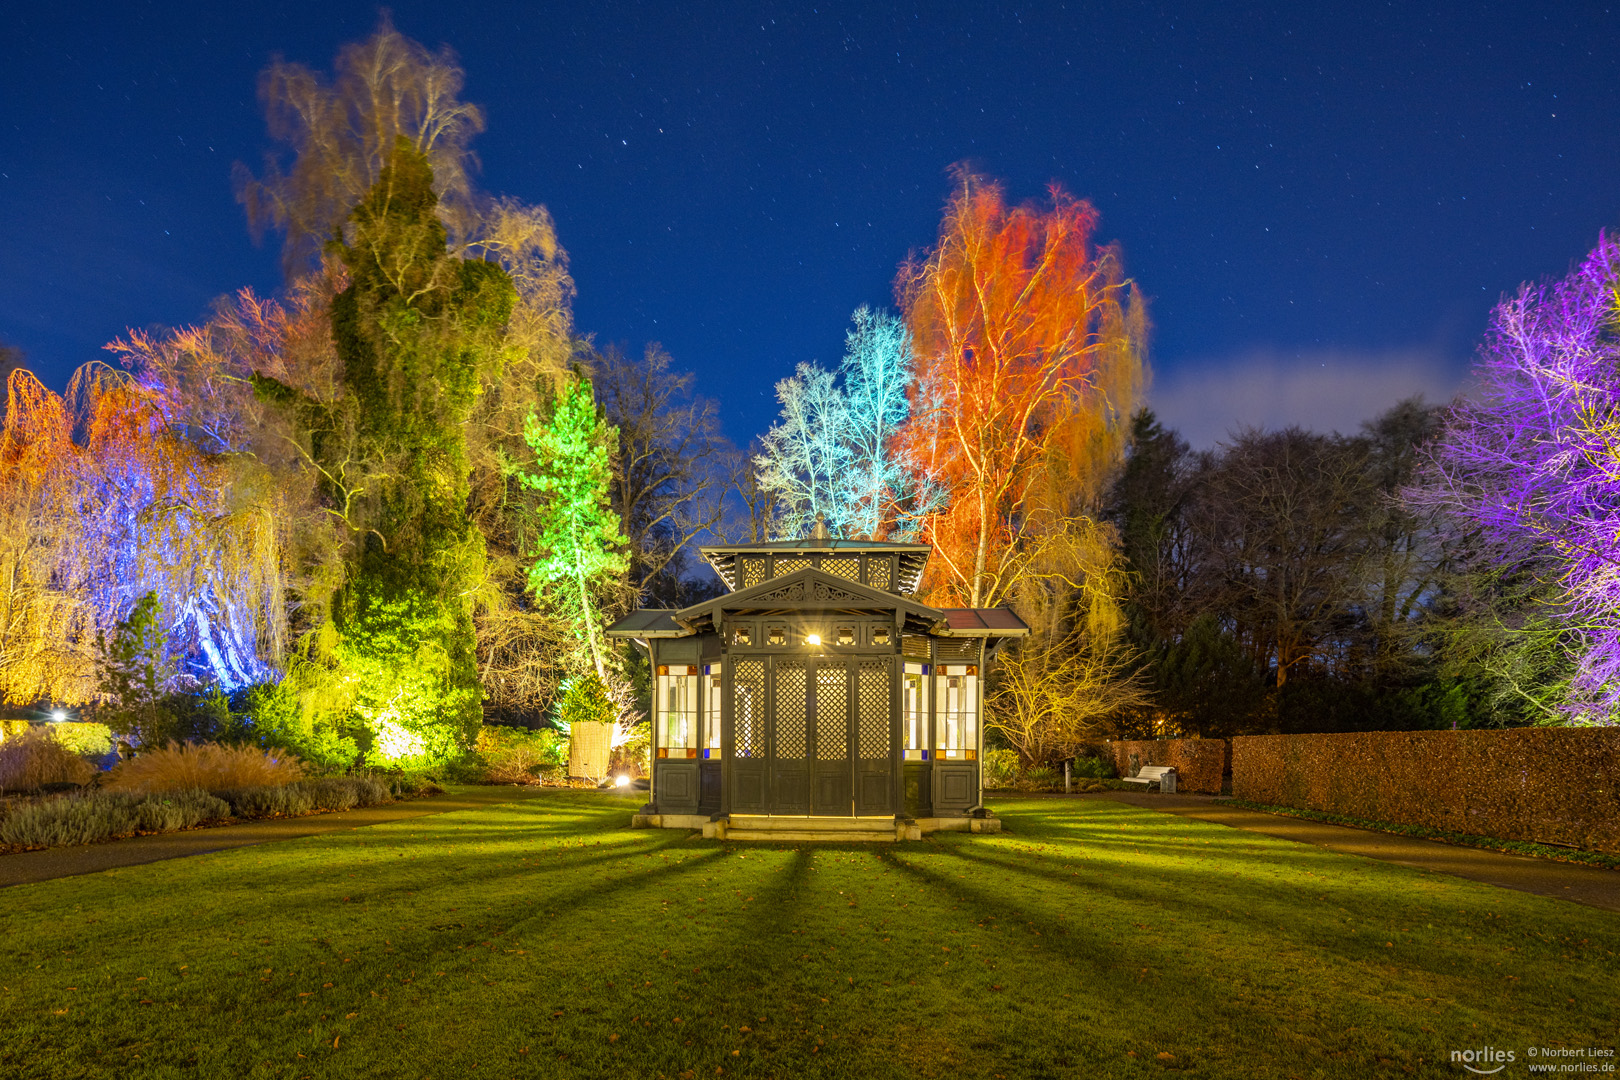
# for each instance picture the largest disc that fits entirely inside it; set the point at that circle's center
(817, 697)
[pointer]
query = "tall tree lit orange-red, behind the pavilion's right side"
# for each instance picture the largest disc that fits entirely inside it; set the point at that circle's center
(1030, 354)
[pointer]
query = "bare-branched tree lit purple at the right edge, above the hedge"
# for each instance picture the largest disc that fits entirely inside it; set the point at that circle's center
(1532, 461)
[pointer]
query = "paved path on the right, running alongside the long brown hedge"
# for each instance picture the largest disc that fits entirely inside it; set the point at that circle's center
(1569, 882)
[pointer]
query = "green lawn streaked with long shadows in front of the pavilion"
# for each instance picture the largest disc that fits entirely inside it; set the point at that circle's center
(547, 940)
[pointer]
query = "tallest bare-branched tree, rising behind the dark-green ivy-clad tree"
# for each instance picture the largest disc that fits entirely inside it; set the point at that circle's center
(336, 137)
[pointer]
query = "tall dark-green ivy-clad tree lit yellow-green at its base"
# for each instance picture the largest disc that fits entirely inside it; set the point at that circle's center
(417, 331)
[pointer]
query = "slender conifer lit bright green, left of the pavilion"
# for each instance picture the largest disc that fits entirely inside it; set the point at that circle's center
(578, 548)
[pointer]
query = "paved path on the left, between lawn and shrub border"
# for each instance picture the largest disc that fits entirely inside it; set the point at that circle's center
(66, 862)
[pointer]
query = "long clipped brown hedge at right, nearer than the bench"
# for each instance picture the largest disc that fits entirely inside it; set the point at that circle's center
(1541, 784)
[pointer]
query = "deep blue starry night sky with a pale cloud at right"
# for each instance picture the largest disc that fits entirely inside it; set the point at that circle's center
(1321, 205)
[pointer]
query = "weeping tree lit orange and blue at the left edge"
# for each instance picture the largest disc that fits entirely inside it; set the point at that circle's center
(106, 500)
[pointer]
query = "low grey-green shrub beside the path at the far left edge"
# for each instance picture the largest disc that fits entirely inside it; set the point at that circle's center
(104, 815)
